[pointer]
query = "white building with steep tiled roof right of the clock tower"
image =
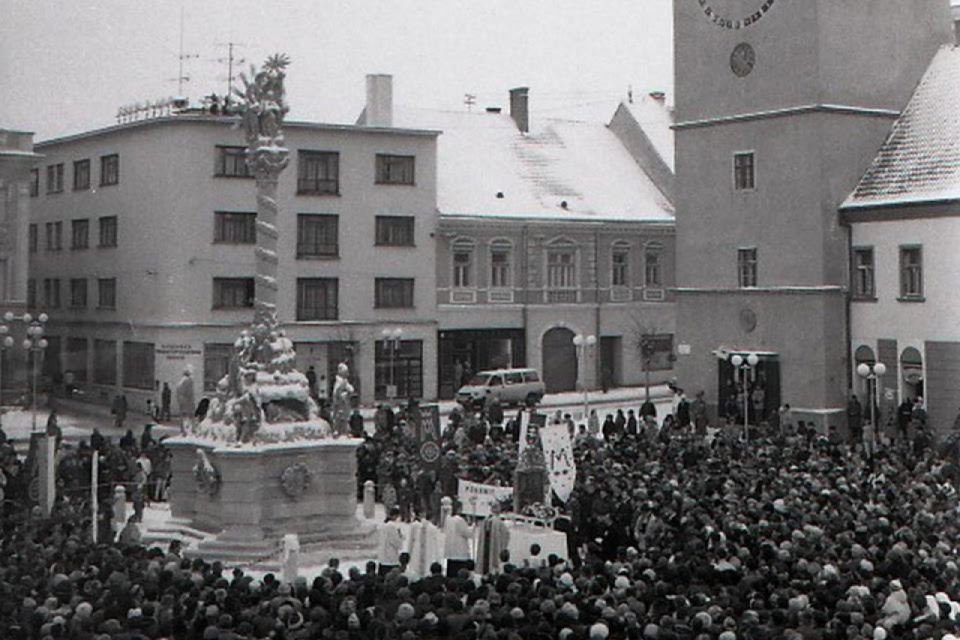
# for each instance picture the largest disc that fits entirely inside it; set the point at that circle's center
(904, 218)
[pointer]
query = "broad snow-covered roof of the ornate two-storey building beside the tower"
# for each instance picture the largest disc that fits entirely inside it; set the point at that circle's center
(487, 167)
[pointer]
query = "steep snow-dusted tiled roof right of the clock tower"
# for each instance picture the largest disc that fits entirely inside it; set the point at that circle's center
(920, 160)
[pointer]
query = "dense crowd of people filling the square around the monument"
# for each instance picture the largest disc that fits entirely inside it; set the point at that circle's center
(674, 534)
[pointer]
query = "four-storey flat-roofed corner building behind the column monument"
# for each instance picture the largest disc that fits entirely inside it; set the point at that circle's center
(143, 254)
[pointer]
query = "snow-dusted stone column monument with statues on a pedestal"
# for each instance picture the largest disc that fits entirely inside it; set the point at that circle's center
(263, 464)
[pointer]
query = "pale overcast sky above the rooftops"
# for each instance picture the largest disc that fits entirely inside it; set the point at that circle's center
(66, 66)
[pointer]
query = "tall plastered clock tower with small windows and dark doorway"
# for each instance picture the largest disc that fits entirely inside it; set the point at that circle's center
(780, 108)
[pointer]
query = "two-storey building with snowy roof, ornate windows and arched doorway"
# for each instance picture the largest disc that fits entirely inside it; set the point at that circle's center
(549, 230)
